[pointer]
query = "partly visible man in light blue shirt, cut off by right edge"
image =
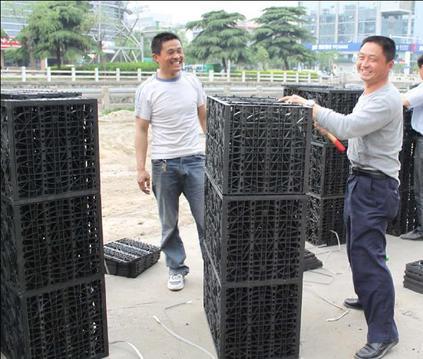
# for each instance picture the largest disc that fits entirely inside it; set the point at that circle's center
(413, 99)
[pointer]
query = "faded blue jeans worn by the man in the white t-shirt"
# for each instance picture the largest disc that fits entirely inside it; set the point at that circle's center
(171, 178)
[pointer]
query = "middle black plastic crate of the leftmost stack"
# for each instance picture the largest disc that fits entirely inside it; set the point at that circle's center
(51, 242)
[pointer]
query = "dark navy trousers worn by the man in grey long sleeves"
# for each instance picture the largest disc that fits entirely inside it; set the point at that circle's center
(369, 204)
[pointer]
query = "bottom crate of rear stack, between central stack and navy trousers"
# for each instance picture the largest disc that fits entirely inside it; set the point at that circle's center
(325, 214)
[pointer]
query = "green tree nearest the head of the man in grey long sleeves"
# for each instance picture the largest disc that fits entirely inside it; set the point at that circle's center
(281, 34)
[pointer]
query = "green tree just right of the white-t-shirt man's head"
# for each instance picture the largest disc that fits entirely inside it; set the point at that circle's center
(220, 39)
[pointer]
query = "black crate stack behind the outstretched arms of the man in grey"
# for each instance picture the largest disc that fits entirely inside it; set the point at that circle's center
(328, 168)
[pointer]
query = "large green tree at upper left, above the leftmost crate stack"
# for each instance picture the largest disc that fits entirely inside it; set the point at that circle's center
(57, 28)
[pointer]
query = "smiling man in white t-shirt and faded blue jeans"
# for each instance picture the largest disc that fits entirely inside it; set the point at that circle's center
(173, 104)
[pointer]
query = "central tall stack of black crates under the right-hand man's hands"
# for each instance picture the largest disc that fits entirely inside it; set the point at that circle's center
(256, 181)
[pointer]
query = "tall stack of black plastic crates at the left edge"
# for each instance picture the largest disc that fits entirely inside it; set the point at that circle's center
(52, 280)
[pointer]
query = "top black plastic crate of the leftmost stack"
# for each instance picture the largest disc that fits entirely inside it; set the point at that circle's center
(48, 147)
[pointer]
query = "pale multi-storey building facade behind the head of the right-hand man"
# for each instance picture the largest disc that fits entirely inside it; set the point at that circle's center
(341, 26)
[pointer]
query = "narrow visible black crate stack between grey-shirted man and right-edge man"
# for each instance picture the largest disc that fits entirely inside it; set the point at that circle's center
(406, 219)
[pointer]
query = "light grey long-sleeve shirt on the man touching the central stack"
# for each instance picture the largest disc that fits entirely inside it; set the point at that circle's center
(374, 130)
